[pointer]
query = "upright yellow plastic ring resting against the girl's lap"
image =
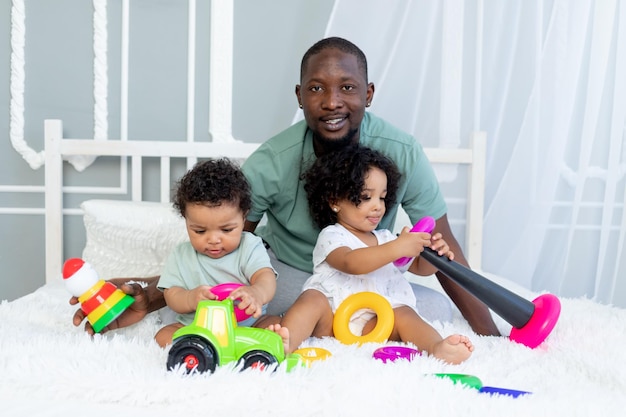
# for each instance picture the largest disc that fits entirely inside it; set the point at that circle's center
(358, 301)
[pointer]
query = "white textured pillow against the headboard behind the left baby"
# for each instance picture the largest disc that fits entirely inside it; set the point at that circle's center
(128, 238)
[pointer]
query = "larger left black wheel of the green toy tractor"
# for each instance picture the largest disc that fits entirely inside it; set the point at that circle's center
(193, 353)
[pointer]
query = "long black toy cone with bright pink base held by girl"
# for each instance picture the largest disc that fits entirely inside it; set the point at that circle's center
(532, 321)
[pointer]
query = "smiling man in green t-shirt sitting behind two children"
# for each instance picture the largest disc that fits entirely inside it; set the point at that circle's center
(333, 94)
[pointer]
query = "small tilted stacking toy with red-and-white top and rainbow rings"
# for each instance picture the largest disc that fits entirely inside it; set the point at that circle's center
(101, 301)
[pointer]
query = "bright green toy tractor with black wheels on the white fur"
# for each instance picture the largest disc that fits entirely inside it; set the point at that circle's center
(214, 339)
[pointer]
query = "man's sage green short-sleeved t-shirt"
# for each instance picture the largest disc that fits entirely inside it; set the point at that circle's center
(274, 172)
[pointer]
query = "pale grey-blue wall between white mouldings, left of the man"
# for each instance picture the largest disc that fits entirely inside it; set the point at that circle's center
(269, 40)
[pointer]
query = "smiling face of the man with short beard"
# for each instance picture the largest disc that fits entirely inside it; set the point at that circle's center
(333, 95)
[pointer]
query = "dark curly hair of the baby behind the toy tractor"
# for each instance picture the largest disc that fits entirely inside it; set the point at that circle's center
(213, 182)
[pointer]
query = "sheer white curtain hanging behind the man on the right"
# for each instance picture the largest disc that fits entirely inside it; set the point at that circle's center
(547, 81)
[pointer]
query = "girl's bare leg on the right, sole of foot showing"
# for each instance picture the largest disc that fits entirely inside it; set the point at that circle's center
(410, 327)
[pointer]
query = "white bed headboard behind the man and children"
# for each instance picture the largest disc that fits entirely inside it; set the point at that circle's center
(57, 148)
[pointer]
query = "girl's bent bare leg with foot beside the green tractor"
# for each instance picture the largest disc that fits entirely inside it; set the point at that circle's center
(310, 315)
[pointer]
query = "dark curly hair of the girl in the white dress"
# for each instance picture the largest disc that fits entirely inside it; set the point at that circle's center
(340, 175)
